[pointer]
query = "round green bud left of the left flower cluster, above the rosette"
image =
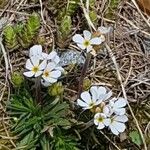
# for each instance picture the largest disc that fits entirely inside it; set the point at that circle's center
(17, 79)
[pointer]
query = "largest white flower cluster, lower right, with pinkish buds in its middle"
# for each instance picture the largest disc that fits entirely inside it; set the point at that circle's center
(108, 112)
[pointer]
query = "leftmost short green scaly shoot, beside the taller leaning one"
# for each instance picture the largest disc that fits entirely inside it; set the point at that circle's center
(10, 38)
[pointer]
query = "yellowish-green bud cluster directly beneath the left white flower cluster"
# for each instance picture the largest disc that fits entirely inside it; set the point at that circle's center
(56, 89)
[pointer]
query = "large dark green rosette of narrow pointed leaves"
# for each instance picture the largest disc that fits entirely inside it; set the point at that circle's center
(32, 123)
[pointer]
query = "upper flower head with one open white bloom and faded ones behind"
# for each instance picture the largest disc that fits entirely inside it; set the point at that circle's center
(87, 41)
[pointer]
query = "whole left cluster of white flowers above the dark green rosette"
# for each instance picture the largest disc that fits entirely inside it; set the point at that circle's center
(44, 65)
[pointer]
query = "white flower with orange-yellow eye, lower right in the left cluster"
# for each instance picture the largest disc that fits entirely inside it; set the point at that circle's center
(51, 74)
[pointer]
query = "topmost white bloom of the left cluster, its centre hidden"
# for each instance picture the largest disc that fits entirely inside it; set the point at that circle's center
(35, 51)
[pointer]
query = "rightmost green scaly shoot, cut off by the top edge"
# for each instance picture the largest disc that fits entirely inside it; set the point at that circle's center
(112, 9)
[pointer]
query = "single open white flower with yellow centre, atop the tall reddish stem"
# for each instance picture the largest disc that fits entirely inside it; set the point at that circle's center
(87, 41)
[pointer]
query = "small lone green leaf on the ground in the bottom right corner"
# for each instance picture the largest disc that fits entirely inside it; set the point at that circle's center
(135, 137)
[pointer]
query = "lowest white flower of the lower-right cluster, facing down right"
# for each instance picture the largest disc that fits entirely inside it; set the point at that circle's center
(117, 124)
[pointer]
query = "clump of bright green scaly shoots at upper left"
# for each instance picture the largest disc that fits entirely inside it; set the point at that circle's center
(22, 34)
